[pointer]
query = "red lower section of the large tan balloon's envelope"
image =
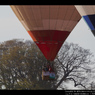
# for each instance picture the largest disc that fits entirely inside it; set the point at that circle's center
(49, 41)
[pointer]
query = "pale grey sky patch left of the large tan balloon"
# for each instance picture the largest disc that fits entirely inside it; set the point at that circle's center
(10, 26)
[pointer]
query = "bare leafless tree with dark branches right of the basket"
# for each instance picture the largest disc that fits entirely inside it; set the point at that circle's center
(72, 64)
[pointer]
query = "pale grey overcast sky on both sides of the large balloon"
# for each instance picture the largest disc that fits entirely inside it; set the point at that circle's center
(11, 28)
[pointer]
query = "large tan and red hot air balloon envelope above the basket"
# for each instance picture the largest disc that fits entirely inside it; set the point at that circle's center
(48, 25)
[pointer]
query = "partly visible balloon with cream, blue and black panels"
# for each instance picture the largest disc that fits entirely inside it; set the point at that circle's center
(88, 14)
